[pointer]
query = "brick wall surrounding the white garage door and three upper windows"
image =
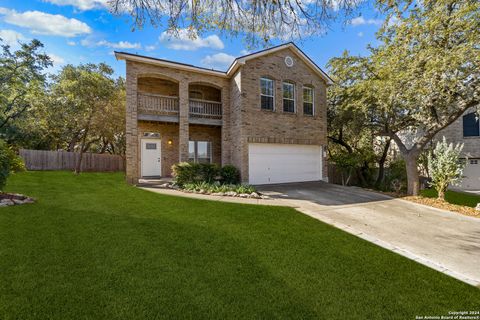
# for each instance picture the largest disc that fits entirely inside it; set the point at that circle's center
(276, 126)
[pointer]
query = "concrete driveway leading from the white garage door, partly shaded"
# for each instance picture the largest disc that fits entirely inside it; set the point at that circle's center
(443, 240)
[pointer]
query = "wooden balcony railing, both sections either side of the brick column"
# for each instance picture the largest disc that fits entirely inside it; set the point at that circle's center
(156, 107)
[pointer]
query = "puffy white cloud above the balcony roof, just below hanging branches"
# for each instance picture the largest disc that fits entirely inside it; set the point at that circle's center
(188, 41)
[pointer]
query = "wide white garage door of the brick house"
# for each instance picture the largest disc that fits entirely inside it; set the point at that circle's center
(280, 163)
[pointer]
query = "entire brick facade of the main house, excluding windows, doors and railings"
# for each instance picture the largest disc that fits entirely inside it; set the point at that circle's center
(242, 121)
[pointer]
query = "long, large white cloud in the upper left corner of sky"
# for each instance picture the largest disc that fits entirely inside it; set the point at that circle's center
(44, 23)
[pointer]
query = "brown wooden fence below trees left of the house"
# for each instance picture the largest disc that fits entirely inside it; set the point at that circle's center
(63, 160)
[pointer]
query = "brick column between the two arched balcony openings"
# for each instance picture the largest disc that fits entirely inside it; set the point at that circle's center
(183, 133)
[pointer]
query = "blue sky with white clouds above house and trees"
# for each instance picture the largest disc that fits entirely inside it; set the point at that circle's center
(81, 31)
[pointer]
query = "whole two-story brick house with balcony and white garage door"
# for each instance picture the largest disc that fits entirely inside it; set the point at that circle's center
(266, 115)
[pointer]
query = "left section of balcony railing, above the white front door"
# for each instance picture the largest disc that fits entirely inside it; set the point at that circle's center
(150, 103)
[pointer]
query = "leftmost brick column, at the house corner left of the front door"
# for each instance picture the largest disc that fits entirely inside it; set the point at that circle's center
(131, 132)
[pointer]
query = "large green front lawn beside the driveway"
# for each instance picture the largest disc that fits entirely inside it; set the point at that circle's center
(94, 248)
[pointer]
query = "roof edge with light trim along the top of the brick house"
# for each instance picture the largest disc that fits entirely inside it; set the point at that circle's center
(233, 67)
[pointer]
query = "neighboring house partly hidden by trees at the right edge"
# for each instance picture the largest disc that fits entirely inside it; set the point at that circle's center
(466, 130)
